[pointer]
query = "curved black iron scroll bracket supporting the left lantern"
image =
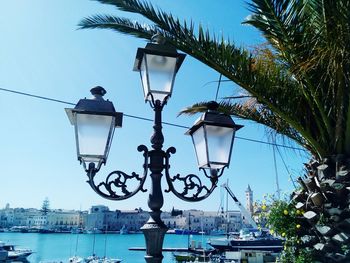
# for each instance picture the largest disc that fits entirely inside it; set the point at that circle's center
(118, 179)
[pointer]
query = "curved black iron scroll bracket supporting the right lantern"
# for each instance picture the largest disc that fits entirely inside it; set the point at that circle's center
(191, 183)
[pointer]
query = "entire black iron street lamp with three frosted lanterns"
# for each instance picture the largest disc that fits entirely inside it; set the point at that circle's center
(95, 119)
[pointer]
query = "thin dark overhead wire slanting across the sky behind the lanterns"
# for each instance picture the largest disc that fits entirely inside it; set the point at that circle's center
(148, 119)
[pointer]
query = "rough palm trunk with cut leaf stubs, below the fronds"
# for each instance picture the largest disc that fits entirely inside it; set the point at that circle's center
(324, 199)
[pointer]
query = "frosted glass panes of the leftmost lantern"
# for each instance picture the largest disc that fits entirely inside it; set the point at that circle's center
(94, 136)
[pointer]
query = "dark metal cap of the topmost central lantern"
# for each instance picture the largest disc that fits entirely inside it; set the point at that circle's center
(159, 50)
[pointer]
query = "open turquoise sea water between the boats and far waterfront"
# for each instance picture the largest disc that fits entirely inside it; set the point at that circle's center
(60, 247)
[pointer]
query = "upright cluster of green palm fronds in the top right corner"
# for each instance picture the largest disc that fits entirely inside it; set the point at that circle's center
(312, 37)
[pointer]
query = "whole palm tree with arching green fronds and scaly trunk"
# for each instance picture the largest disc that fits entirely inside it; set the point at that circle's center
(297, 84)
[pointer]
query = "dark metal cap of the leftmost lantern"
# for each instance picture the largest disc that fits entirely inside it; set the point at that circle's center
(97, 106)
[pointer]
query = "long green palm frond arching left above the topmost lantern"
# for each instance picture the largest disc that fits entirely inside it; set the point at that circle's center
(266, 80)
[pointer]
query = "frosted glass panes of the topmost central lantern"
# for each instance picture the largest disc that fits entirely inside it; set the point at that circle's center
(160, 72)
